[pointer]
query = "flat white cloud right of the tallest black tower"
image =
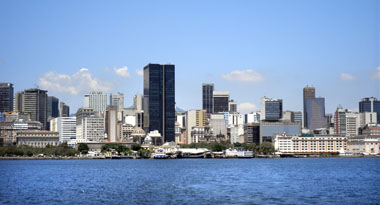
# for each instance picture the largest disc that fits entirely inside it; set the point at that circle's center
(244, 76)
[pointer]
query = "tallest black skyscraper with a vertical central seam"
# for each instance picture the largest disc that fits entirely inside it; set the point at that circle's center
(159, 100)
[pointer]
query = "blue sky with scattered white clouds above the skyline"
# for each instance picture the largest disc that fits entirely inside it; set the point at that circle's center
(250, 48)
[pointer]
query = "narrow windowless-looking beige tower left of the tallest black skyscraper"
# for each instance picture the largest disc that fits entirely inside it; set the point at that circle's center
(112, 126)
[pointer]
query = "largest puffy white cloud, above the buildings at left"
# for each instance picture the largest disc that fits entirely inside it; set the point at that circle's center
(78, 83)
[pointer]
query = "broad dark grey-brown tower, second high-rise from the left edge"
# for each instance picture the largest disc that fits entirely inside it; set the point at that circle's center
(34, 102)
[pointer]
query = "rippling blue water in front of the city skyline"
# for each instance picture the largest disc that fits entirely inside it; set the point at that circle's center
(191, 181)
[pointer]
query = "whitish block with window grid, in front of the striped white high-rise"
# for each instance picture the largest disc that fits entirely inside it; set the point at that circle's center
(89, 125)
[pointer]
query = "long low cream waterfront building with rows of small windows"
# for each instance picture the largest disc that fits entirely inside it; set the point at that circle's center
(309, 144)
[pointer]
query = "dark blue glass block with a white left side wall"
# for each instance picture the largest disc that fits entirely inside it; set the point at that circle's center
(271, 109)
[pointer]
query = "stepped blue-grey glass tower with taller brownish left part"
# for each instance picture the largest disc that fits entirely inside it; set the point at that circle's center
(314, 110)
